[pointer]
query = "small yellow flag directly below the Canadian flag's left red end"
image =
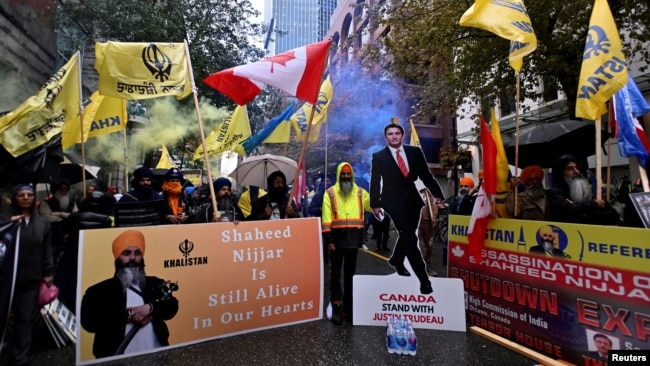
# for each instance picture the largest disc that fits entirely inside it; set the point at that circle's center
(228, 134)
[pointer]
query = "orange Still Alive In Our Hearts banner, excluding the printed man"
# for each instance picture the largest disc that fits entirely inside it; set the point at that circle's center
(232, 279)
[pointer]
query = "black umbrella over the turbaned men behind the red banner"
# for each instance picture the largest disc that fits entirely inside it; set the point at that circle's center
(545, 143)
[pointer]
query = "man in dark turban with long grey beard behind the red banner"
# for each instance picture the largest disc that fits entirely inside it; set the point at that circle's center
(571, 198)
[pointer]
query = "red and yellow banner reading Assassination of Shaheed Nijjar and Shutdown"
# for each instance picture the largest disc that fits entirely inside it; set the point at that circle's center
(555, 287)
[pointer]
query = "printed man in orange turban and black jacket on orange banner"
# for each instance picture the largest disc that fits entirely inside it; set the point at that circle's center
(111, 308)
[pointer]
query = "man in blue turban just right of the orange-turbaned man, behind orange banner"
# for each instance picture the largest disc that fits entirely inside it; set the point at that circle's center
(226, 208)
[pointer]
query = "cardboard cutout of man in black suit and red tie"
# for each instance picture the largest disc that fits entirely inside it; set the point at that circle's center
(395, 168)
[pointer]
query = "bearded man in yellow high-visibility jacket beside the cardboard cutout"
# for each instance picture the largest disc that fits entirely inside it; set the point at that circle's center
(342, 224)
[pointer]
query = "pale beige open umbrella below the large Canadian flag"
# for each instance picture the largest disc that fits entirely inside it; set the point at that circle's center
(254, 170)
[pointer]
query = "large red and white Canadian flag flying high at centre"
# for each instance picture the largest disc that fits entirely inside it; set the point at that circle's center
(297, 72)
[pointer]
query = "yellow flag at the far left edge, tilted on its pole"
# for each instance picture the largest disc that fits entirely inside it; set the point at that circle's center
(42, 116)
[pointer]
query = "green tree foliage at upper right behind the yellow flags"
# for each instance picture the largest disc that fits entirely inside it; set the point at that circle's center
(445, 63)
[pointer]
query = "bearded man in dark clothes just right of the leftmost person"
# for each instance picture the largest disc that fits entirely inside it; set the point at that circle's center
(56, 210)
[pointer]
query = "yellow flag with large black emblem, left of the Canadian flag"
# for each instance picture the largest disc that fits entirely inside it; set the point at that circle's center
(142, 70)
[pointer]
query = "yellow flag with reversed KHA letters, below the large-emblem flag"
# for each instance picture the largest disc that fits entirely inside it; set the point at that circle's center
(102, 115)
